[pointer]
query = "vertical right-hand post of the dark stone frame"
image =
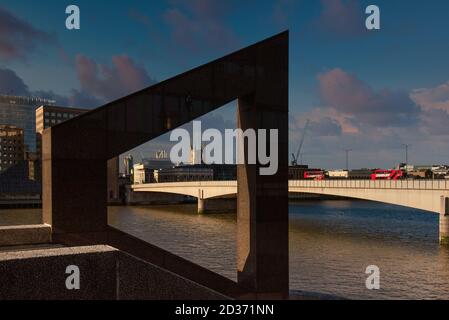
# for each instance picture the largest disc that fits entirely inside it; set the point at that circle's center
(262, 203)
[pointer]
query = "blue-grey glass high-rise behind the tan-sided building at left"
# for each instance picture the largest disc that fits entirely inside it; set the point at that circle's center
(20, 112)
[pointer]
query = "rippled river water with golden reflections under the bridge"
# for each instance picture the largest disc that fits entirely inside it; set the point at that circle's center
(331, 244)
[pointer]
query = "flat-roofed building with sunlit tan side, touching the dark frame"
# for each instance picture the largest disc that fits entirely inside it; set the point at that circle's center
(50, 115)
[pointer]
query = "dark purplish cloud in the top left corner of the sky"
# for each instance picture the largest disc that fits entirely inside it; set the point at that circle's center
(18, 38)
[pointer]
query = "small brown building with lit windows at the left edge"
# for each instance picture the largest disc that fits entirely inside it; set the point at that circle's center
(12, 149)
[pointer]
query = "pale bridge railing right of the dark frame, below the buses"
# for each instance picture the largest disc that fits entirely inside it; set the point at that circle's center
(373, 184)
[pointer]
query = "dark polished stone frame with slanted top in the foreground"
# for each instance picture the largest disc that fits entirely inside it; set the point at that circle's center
(76, 152)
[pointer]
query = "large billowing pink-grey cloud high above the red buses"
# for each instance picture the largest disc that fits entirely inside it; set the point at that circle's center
(378, 115)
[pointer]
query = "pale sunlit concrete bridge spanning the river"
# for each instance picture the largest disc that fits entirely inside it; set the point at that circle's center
(428, 195)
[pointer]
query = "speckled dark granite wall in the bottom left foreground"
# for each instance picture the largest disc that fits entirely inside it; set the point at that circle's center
(105, 273)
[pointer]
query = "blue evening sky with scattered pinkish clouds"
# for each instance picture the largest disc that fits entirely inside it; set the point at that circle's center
(368, 91)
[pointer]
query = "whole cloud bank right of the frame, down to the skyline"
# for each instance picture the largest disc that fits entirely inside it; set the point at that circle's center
(374, 123)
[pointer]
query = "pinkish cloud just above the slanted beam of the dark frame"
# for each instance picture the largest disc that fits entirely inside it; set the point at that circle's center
(111, 82)
